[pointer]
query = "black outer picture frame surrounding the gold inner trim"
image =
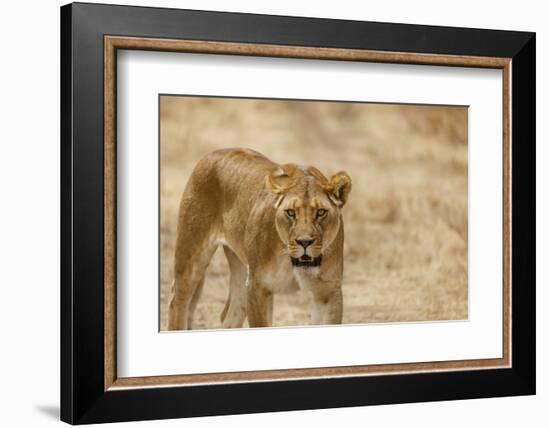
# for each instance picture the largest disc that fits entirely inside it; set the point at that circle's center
(83, 398)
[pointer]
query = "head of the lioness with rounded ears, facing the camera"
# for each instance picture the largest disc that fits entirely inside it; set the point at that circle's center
(307, 208)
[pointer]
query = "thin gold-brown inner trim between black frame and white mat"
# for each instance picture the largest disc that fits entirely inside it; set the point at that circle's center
(113, 43)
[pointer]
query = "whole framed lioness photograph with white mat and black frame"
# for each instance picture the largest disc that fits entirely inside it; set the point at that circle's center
(265, 213)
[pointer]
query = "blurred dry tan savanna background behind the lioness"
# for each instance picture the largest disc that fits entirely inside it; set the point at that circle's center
(406, 220)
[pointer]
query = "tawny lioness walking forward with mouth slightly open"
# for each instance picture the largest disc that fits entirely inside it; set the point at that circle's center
(281, 230)
